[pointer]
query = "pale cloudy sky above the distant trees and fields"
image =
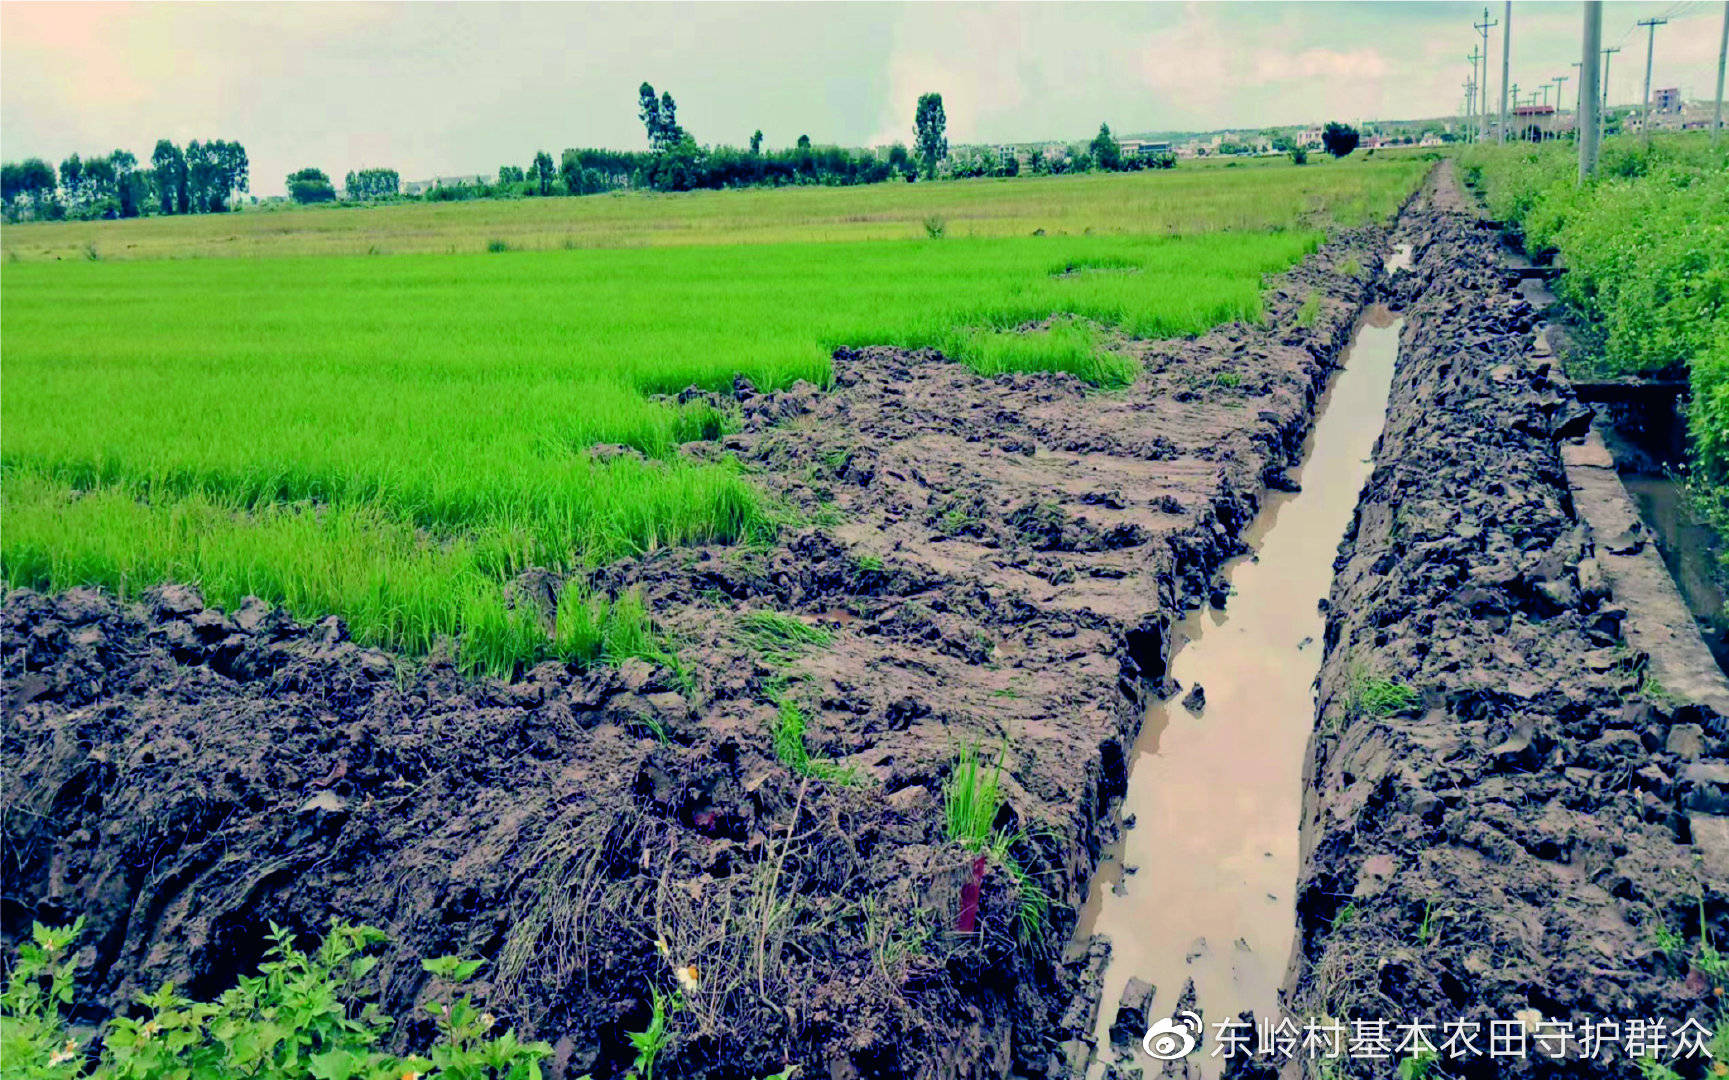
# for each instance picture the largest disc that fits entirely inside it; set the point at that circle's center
(450, 89)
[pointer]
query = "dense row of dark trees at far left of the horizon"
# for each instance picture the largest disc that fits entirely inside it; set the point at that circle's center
(203, 179)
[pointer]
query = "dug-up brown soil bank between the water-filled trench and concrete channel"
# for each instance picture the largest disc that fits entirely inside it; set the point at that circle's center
(1502, 813)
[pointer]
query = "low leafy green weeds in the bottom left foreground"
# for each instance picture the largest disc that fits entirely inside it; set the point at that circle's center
(300, 1017)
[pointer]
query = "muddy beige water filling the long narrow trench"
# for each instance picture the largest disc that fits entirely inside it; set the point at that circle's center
(1201, 889)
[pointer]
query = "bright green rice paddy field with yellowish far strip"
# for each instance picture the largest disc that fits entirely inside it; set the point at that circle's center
(395, 438)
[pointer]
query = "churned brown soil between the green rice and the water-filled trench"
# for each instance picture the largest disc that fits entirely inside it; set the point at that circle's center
(1011, 557)
